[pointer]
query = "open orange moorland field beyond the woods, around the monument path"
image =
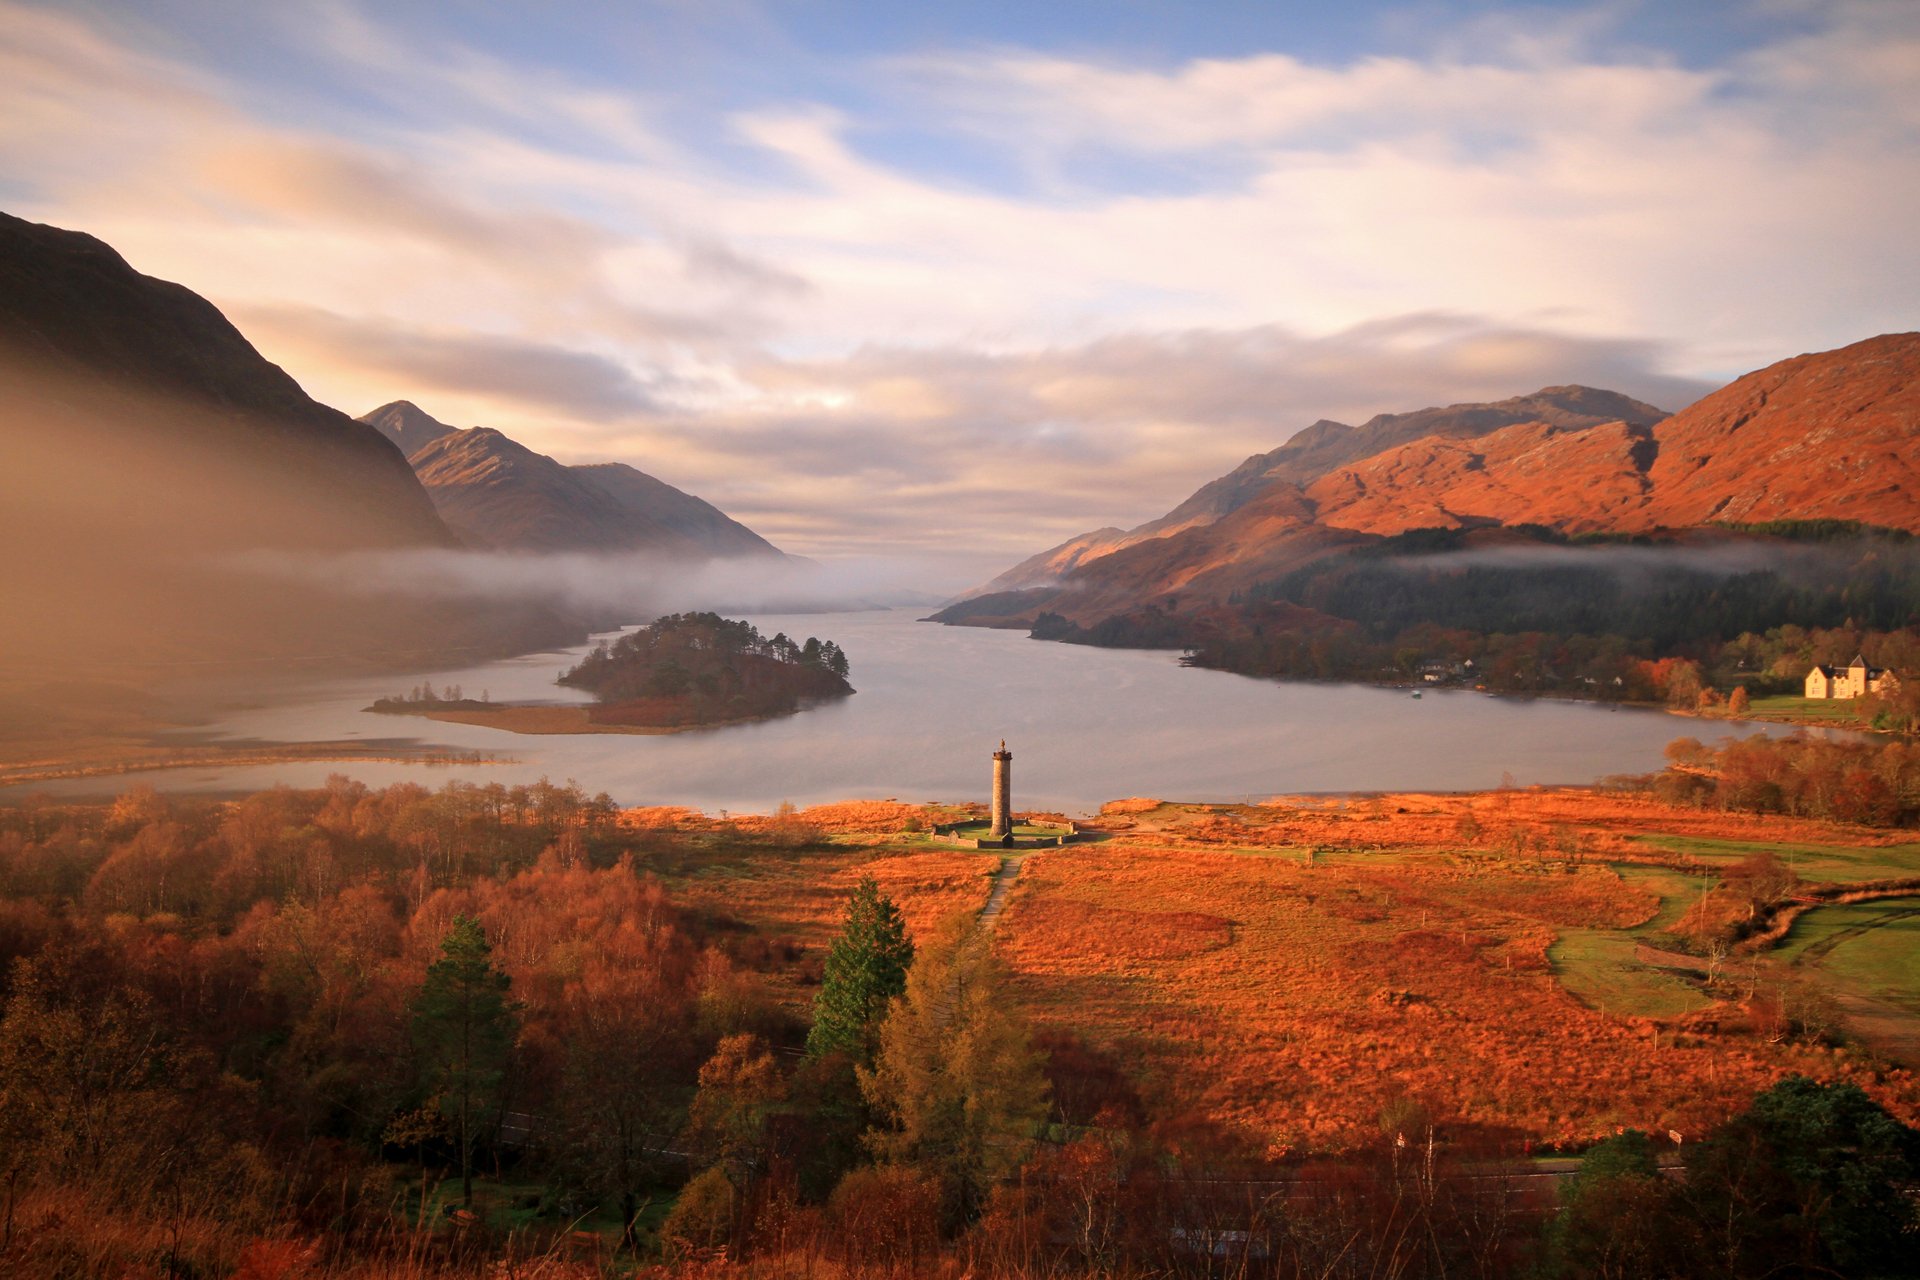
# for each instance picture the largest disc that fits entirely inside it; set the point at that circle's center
(1514, 962)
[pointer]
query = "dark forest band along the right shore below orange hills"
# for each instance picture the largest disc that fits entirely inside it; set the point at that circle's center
(1560, 615)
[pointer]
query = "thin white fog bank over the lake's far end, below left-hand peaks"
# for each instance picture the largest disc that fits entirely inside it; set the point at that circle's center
(612, 586)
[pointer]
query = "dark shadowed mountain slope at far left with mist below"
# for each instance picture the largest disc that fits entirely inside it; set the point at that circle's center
(135, 366)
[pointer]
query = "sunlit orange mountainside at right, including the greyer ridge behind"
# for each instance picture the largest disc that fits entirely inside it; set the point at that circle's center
(1827, 437)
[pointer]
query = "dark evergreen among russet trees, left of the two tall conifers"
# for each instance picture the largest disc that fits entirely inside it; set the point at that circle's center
(464, 1026)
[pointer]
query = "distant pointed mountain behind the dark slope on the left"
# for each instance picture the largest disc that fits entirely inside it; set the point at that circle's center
(498, 494)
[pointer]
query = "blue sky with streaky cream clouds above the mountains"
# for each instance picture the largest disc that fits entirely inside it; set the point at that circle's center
(963, 281)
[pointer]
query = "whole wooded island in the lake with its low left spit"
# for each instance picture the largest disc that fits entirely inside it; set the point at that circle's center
(677, 673)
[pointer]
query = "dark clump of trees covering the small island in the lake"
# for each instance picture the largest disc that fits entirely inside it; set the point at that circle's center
(704, 669)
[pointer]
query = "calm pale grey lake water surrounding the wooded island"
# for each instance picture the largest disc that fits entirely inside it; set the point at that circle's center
(1084, 724)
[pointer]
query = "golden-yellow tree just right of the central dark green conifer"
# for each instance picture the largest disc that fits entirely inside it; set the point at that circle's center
(957, 1083)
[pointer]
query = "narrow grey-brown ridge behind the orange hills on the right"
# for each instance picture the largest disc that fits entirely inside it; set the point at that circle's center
(1326, 446)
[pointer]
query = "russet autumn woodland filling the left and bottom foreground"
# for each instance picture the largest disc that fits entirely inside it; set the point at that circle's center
(468, 1031)
